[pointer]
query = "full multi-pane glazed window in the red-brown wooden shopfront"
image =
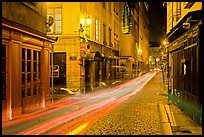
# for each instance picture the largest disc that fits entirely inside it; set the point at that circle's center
(30, 72)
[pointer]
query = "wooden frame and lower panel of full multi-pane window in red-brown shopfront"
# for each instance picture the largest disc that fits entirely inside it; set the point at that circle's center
(32, 87)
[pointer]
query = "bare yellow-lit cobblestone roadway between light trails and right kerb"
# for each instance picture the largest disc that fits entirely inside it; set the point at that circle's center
(139, 115)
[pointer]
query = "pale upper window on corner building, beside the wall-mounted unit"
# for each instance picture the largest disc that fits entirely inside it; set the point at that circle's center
(56, 12)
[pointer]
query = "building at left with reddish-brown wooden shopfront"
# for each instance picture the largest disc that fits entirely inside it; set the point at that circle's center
(25, 47)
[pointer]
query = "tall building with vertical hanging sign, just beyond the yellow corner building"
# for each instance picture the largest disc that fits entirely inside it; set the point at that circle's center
(134, 47)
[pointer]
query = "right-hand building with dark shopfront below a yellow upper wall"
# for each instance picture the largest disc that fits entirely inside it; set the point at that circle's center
(184, 23)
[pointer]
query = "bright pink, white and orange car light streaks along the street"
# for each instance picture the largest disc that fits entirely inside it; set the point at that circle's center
(113, 97)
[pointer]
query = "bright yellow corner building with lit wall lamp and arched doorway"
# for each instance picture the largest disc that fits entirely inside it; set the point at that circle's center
(88, 43)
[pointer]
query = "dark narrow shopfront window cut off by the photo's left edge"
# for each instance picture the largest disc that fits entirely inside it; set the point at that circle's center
(3, 59)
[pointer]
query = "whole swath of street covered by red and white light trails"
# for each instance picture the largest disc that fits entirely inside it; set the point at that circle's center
(69, 113)
